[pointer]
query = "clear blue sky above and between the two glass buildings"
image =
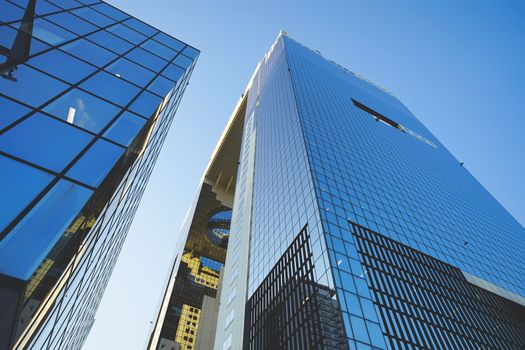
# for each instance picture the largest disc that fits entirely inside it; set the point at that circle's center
(457, 65)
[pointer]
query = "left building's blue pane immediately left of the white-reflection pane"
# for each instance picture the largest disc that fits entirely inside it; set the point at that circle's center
(28, 81)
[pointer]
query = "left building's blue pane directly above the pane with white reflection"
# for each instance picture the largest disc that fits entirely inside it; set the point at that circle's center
(111, 87)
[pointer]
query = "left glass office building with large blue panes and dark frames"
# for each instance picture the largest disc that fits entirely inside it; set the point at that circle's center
(87, 95)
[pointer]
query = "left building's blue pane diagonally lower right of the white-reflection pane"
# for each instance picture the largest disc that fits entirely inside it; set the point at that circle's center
(96, 163)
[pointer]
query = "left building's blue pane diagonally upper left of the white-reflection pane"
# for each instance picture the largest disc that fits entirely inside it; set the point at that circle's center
(62, 65)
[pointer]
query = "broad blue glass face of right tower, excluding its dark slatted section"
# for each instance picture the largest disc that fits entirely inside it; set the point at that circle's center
(392, 183)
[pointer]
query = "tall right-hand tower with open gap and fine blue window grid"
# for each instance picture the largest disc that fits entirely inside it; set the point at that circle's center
(352, 227)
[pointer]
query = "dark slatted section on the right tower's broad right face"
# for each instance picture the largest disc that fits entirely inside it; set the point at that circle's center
(427, 304)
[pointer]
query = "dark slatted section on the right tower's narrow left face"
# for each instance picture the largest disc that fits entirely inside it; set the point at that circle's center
(290, 310)
